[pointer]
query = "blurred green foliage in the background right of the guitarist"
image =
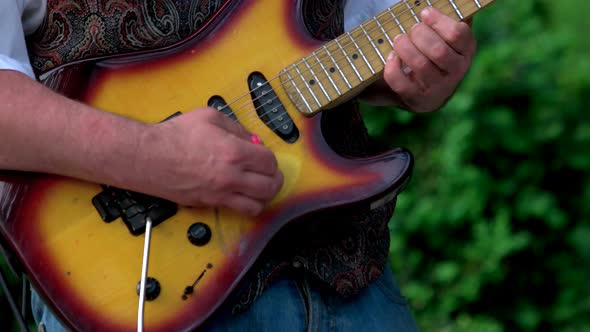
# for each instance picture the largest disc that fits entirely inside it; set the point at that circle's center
(493, 232)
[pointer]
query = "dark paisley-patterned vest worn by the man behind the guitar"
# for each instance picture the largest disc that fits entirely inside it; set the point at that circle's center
(345, 251)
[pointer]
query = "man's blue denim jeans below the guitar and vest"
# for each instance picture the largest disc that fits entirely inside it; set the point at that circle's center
(299, 304)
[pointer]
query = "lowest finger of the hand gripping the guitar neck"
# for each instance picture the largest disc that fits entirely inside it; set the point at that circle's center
(399, 82)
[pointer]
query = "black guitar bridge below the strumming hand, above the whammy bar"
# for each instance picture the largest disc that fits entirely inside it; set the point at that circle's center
(133, 208)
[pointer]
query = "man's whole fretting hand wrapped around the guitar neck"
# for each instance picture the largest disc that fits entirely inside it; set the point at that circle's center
(426, 65)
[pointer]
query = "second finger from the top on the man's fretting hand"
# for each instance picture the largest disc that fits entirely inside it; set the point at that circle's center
(431, 45)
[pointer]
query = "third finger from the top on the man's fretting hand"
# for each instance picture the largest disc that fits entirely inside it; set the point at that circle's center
(424, 71)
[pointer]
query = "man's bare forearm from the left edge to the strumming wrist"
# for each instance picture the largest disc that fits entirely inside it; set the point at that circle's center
(45, 132)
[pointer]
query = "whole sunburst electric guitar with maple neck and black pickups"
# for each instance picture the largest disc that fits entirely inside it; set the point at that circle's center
(81, 243)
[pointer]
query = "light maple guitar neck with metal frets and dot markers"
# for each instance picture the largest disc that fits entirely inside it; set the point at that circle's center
(346, 65)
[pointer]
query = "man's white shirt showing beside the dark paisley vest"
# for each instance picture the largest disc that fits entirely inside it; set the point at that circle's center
(21, 17)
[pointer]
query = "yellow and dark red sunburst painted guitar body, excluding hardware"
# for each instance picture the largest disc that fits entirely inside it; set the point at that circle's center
(88, 269)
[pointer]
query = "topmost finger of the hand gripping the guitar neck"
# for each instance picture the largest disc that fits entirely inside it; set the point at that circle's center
(457, 35)
